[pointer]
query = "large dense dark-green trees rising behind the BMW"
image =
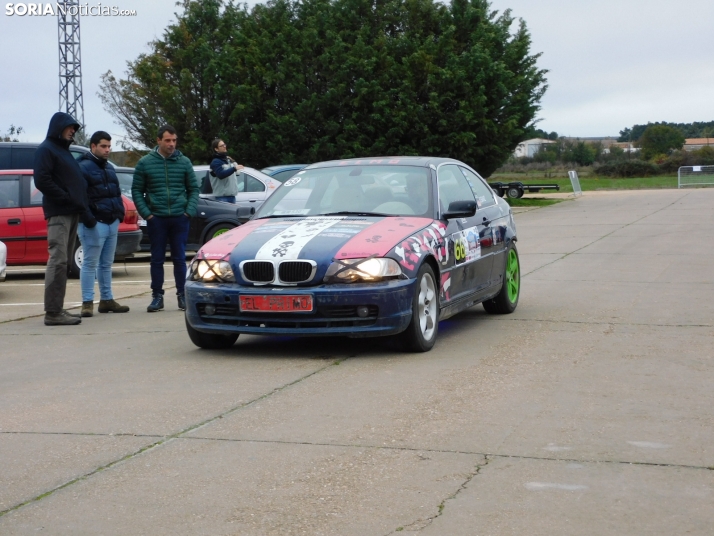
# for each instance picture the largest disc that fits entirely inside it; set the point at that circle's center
(308, 80)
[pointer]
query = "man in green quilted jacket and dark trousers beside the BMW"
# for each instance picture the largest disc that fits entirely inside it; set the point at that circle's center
(165, 191)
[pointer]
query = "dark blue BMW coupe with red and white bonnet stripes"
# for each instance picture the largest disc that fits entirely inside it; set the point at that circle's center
(361, 248)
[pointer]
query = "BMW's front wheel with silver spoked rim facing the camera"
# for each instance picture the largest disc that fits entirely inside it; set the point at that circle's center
(421, 333)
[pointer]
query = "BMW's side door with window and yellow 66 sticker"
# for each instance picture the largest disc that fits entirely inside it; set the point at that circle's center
(470, 271)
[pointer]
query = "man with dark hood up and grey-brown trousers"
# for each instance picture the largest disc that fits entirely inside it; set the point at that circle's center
(64, 203)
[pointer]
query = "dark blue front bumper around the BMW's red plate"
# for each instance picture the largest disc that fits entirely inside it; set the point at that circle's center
(389, 309)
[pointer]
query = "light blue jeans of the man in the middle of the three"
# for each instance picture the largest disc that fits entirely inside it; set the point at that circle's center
(98, 245)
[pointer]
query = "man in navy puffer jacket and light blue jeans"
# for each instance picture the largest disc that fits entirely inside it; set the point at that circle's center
(100, 242)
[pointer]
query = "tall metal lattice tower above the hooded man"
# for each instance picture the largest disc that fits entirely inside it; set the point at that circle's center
(71, 99)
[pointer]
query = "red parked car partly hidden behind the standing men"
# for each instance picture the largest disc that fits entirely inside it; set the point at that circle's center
(23, 227)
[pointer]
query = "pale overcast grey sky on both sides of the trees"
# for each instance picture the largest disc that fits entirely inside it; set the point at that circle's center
(611, 63)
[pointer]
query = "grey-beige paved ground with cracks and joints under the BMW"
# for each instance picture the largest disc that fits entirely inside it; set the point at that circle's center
(587, 411)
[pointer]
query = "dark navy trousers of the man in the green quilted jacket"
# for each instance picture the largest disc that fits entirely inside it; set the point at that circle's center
(174, 232)
